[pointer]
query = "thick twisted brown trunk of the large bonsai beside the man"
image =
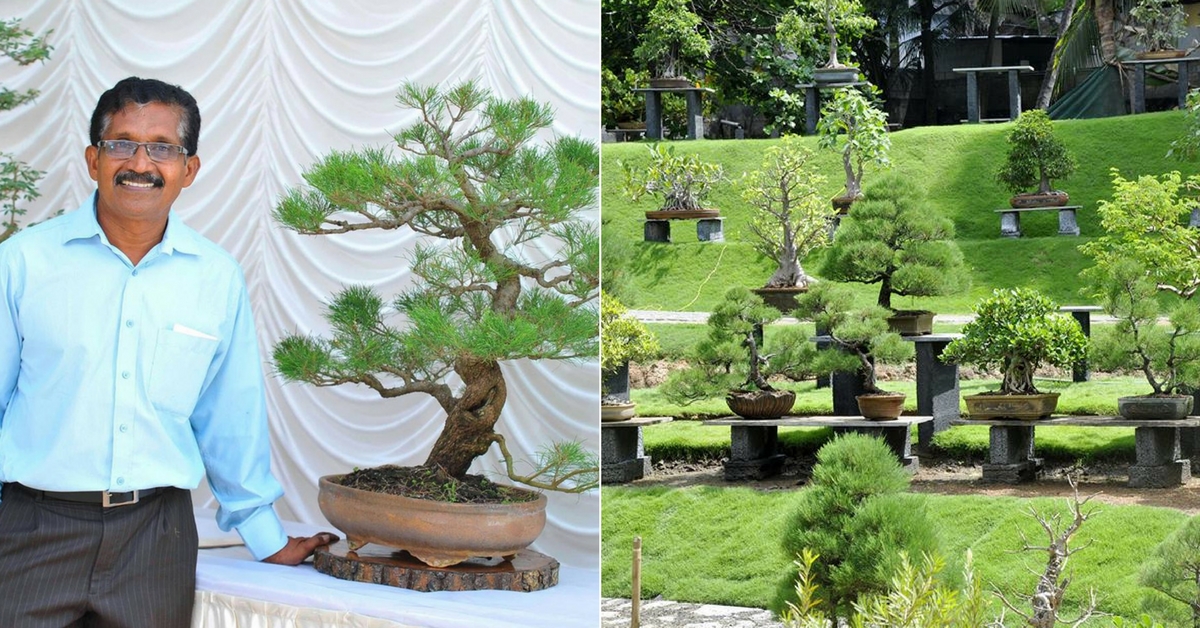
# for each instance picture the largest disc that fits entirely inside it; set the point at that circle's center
(470, 423)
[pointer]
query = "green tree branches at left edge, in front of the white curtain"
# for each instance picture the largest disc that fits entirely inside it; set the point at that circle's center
(19, 182)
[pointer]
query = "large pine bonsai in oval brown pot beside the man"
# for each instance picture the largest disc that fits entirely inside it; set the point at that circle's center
(472, 183)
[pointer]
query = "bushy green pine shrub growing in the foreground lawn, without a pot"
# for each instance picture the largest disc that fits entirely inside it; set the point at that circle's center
(859, 519)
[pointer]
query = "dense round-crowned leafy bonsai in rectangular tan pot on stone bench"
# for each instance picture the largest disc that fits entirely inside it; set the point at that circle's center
(1017, 331)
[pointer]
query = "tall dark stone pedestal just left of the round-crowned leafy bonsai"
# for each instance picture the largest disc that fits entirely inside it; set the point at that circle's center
(938, 386)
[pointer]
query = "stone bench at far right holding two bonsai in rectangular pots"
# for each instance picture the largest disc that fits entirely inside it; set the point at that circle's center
(1160, 463)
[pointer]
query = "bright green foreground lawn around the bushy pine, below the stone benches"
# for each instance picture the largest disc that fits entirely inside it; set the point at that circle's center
(721, 546)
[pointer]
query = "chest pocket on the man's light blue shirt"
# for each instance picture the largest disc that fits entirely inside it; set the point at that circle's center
(178, 370)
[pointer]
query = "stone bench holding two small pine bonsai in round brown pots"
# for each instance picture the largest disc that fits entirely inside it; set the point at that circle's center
(754, 444)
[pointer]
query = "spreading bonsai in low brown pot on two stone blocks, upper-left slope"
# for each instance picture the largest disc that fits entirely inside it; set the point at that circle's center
(683, 182)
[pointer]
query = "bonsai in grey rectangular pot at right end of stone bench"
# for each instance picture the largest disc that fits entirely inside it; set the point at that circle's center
(1168, 356)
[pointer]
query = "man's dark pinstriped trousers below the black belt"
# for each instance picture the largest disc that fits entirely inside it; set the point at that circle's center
(77, 565)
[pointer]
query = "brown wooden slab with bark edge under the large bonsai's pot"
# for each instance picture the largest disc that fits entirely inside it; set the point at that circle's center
(529, 571)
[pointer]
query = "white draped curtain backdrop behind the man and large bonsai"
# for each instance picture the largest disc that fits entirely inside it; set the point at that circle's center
(280, 83)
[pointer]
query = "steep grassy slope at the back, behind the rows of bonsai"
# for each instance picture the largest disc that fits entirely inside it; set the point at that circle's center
(956, 164)
